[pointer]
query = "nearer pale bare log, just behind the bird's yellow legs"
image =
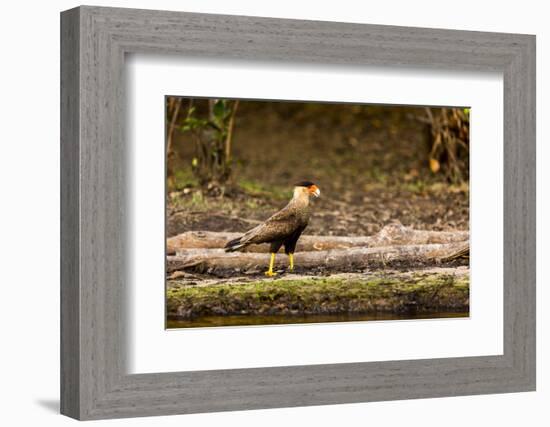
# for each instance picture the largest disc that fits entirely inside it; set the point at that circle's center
(212, 260)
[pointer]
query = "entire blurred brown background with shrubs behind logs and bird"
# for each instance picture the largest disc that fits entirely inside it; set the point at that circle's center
(231, 162)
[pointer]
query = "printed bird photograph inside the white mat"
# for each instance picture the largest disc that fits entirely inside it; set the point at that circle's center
(283, 212)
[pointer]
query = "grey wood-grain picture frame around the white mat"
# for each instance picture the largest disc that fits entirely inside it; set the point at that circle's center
(94, 382)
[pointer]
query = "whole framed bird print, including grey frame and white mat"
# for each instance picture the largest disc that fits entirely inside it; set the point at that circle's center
(262, 213)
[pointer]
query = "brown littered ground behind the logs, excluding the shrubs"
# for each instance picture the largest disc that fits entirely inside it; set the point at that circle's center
(370, 166)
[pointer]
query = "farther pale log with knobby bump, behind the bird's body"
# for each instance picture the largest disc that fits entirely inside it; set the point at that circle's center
(391, 235)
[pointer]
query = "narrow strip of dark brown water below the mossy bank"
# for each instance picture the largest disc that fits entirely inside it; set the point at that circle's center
(254, 320)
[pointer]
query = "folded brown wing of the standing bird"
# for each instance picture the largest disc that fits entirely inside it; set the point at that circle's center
(278, 226)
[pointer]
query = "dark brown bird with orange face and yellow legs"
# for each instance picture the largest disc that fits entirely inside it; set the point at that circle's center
(283, 227)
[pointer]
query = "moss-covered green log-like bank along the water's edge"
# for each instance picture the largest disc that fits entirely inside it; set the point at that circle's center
(401, 294)
